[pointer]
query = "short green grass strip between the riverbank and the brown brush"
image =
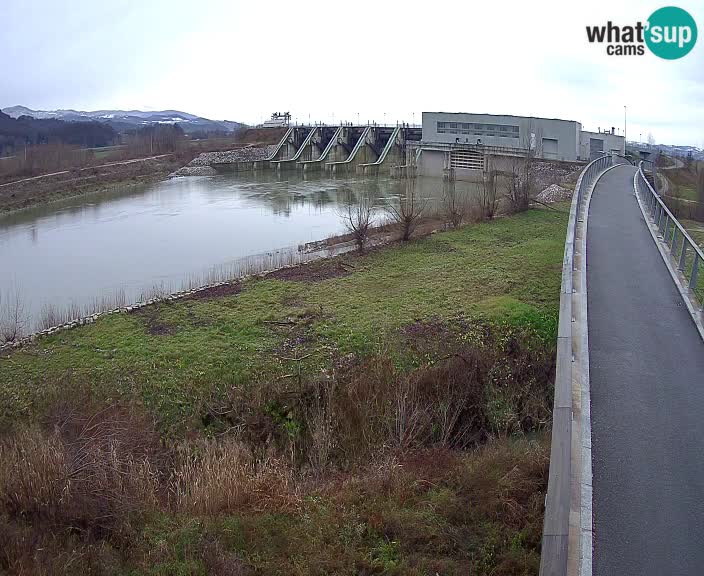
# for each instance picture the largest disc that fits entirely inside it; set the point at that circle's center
(504, 271)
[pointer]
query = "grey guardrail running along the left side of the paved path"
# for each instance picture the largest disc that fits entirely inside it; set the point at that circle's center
(555, 544)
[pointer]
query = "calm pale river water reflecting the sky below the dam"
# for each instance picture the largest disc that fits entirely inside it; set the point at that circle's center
(127, 241)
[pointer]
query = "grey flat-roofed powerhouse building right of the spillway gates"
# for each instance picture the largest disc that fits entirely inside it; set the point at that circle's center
(463, 142)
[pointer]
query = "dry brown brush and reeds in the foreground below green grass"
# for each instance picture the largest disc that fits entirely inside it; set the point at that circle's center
(367, 468)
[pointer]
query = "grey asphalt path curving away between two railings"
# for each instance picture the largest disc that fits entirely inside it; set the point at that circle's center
(647, 385)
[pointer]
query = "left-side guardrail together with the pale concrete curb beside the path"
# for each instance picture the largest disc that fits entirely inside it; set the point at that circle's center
(564, 529)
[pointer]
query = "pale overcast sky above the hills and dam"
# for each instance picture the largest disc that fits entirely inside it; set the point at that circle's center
(333, 61)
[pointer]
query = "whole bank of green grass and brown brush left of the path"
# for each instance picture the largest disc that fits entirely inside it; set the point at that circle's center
(385, 413)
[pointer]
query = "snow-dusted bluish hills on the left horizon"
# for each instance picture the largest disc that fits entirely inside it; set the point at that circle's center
(125, 120)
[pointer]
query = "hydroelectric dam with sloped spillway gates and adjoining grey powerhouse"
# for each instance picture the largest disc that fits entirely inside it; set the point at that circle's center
(452, 146)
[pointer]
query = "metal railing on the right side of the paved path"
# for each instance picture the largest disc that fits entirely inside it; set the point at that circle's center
(686, 253)
